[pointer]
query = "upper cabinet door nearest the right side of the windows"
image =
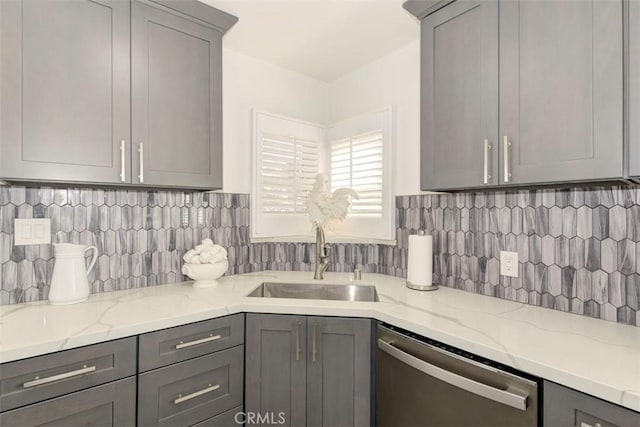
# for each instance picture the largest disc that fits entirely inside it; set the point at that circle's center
(459, 96)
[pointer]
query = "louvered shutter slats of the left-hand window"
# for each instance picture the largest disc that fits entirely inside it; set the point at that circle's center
(289, 167)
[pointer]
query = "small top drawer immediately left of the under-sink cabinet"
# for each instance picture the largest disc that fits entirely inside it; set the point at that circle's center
(177, 344)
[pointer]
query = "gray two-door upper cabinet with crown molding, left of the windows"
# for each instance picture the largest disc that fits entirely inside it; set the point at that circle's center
(112, 91)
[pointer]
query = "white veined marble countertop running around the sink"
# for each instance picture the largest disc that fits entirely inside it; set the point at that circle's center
(594, 356)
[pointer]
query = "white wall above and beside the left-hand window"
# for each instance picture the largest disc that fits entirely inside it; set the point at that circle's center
(249, 83)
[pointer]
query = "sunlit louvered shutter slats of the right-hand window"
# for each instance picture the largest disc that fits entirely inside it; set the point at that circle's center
(357, 163)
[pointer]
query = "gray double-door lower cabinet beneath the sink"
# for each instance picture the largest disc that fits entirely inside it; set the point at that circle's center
(307, 370)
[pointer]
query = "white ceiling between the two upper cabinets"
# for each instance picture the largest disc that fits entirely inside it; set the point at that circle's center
(321, 39)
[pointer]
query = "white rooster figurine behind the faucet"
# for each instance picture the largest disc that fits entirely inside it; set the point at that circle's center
(324, 207)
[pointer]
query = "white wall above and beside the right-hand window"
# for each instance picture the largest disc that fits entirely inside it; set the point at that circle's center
(391, 80)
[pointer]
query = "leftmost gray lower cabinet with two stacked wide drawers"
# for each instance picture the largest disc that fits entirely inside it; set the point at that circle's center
(93, 385)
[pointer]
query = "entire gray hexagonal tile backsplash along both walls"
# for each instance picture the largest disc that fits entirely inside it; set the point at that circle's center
(579, 248)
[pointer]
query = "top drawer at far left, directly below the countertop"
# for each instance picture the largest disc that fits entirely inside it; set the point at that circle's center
(31, 380)
